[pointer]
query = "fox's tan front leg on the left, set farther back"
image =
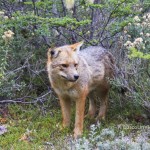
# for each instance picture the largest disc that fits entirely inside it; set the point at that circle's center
(65, 104)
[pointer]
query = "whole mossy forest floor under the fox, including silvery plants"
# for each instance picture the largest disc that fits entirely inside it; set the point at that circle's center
(34, 127)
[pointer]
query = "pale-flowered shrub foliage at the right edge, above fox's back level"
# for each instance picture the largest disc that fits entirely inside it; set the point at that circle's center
(138, 36)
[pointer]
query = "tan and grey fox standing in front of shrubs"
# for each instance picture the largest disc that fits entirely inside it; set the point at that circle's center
(75, 75)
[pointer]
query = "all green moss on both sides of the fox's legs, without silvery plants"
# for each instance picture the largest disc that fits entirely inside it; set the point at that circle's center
(31, 127)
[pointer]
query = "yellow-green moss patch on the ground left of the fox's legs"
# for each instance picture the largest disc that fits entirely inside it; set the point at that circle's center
(28, 128)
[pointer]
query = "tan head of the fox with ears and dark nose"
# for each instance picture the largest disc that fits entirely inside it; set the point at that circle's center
(64, 61)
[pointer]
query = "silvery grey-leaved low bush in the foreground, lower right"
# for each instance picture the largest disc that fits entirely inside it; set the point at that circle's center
(107, 138)
